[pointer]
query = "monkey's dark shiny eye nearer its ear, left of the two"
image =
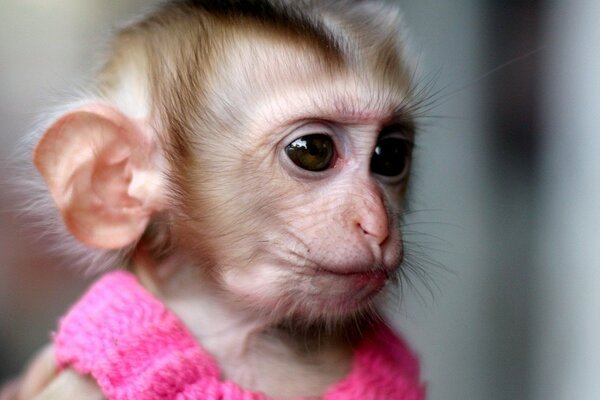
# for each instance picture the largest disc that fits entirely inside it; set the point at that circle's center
(312, 152)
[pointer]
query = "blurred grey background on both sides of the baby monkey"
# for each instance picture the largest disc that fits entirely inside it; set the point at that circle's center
(506, 197)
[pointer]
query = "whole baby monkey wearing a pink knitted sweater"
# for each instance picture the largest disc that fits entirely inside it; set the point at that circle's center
(247, 160)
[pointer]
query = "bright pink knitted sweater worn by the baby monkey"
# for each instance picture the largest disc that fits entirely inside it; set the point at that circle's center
(136, 349)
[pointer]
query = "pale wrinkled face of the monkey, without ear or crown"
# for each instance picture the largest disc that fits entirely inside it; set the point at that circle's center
(304, 206)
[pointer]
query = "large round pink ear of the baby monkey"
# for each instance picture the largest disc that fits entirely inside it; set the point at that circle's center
(101, 169)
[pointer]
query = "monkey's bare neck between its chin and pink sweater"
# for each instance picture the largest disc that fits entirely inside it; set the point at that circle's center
(251, 351)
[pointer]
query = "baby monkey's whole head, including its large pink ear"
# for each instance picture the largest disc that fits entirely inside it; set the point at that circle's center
(267, 143)
